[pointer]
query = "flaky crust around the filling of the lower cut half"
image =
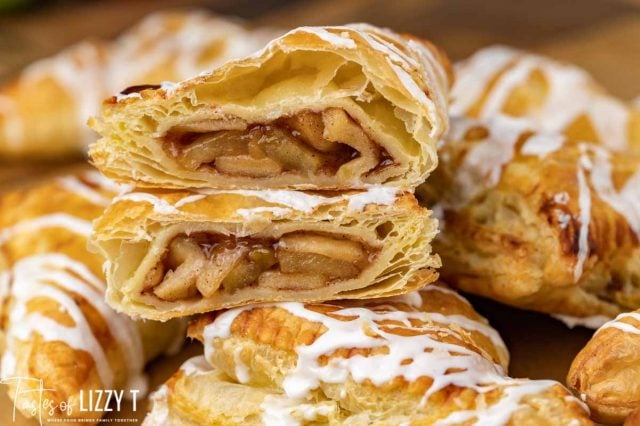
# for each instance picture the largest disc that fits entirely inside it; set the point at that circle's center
(134, 232)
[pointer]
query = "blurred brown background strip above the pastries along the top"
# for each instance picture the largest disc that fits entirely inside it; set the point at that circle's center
(600, 35)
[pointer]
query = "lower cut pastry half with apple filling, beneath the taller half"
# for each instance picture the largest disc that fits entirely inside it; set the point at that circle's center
(173, 254)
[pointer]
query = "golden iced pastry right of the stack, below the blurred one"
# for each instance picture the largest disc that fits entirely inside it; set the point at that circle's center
(537, 221)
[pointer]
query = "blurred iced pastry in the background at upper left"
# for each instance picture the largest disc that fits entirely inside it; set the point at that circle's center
(43, 113)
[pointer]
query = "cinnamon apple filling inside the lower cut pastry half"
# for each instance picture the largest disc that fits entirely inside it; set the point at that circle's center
(199, 265)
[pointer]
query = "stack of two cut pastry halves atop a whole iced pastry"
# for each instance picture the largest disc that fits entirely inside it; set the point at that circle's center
(279, 182)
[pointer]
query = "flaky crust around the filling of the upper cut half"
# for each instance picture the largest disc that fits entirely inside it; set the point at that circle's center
(411, 75)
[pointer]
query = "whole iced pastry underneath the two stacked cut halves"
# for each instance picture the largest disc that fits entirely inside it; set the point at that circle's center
(419, 359)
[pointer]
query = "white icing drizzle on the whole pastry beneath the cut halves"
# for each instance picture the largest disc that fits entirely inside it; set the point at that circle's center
(369, 328)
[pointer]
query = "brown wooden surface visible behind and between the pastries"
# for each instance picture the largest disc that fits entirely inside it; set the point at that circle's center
(602, 36)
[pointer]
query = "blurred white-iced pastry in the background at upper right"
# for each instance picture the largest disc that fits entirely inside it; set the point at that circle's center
(552, 96)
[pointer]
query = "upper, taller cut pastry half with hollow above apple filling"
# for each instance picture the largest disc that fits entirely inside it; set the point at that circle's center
(318, 108)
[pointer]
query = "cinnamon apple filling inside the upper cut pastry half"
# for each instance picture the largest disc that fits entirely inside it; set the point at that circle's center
(327, 142)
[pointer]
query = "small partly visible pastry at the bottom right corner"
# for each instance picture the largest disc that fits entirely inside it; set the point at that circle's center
(606, 373)
